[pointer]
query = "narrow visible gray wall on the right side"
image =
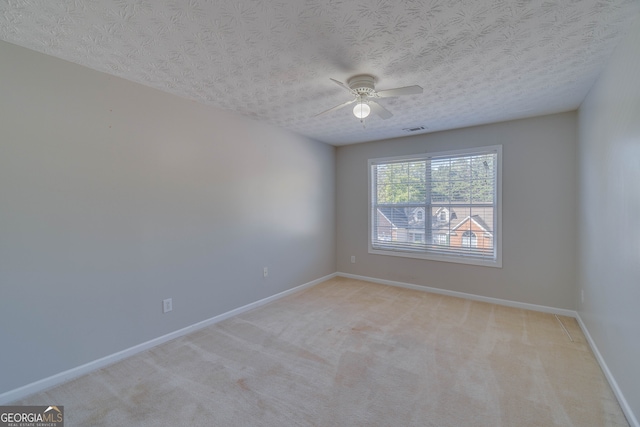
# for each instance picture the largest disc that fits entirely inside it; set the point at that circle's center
(609, 129)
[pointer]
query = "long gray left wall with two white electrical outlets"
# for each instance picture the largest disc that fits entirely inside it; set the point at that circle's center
(114, 196)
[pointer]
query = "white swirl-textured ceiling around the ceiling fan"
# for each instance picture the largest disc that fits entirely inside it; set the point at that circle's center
(479, 61)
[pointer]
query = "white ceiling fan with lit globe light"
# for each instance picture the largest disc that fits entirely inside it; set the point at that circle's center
(362, 88)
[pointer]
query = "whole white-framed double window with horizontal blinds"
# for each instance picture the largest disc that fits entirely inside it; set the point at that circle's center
(438, 206)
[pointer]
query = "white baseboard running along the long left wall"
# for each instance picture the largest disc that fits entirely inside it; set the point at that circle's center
(62, 377)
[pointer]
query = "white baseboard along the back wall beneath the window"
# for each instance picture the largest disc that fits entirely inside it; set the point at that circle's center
(508, 303)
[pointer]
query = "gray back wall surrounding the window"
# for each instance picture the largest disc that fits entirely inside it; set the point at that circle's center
(539, 212)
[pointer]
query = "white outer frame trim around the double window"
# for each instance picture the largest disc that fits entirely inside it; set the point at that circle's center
(432, 254)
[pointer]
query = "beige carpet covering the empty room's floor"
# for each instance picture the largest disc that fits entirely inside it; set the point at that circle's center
(352, 353)
